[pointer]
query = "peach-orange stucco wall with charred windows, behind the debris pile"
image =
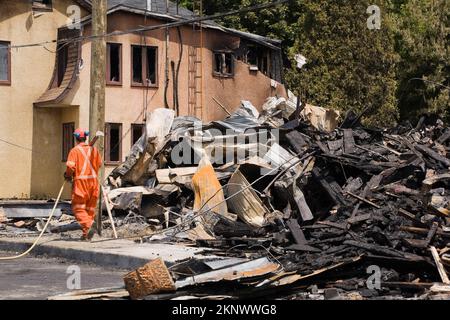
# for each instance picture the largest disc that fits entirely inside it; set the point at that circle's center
(126, 104)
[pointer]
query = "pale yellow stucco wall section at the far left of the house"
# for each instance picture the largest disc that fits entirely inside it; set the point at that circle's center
(31, 71)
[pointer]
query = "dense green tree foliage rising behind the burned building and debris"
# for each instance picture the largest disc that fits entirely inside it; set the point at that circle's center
(352, 67)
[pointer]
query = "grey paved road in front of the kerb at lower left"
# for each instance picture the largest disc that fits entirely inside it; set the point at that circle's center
(38, 278)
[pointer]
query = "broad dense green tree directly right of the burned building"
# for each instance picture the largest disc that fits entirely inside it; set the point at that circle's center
(349, 66)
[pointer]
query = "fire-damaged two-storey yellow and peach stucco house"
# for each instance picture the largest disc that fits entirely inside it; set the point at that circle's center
(210, 70)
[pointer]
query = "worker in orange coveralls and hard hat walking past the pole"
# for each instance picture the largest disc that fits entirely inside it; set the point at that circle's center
(83, 164)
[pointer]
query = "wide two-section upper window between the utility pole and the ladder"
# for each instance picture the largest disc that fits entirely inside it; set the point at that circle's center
(144, 66)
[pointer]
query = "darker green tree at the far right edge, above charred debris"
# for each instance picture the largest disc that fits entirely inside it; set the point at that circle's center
(423, 42)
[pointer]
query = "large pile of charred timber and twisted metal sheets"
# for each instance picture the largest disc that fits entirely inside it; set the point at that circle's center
(305, 210)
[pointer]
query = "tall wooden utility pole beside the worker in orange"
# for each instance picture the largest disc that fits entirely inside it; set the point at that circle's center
(97, 89)
